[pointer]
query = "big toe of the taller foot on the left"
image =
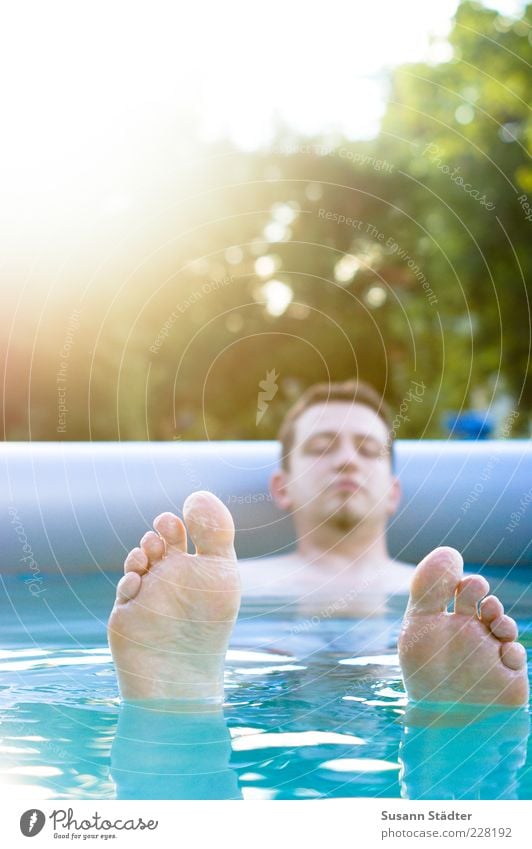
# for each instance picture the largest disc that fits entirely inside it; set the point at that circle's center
(210, 524)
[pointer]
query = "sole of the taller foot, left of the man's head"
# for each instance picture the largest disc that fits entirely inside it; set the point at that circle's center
(174, 612)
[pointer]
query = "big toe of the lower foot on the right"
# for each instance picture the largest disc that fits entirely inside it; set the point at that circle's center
(435, 581)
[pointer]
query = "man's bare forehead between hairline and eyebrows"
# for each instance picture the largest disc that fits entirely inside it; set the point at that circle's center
(342, 417)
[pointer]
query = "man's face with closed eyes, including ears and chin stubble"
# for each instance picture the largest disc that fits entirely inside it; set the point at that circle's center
(339, 468)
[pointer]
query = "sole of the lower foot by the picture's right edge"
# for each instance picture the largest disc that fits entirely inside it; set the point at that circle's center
(468, 656)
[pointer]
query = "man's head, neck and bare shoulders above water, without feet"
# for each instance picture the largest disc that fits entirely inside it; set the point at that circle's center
(336, 479)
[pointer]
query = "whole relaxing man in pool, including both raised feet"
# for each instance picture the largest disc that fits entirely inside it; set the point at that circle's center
(174, 614)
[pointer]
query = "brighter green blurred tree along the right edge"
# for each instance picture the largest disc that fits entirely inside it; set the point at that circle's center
(466, 131)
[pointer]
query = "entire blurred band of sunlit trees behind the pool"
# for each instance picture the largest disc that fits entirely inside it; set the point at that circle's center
(401, 259)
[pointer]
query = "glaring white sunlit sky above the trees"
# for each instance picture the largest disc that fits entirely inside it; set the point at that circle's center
(86, 83)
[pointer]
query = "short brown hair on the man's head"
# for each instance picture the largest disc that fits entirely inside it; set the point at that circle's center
(352, 391)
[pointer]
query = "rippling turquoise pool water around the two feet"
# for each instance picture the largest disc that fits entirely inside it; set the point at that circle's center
(315, 709)
